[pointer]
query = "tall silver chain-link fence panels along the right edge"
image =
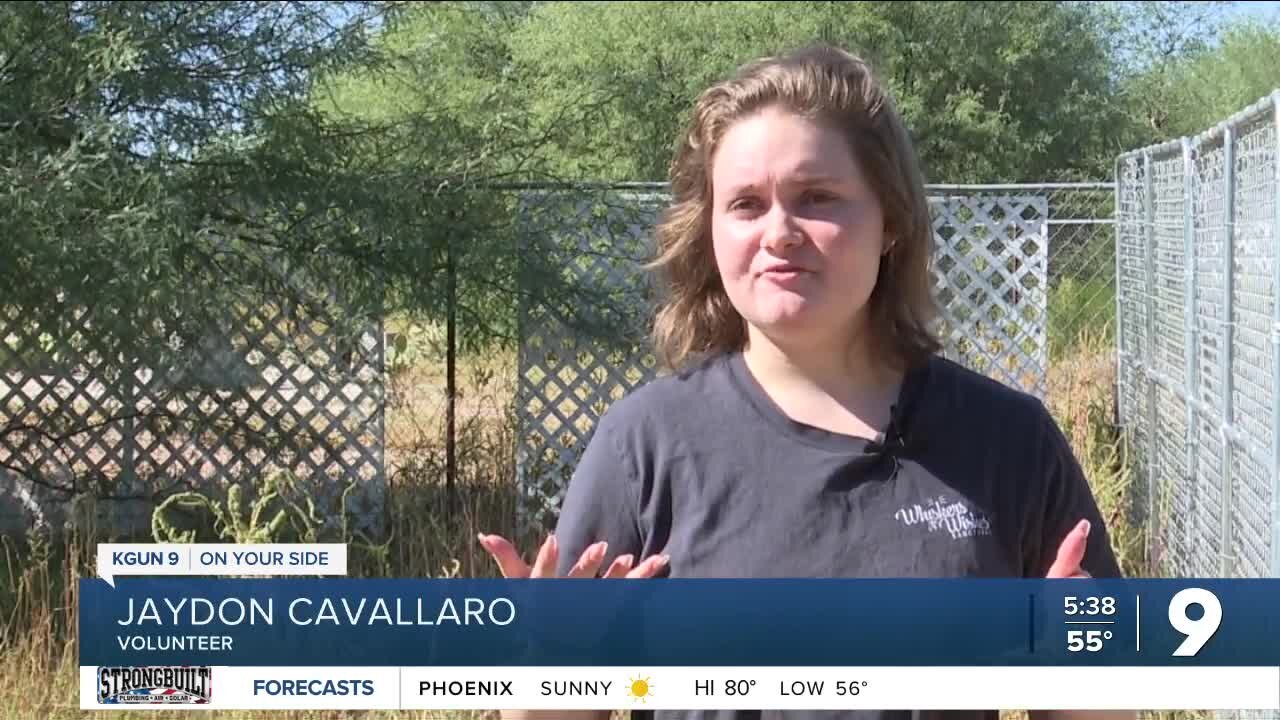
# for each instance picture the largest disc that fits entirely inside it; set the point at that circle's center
(1199, 332)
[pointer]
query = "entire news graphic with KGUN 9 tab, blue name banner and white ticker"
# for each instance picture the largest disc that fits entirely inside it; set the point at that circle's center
(281, 627)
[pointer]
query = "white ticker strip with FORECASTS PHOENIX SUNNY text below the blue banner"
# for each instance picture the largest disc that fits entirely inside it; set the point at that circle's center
(714, 689)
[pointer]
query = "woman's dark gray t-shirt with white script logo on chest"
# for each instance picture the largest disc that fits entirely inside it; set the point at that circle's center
(971, 480)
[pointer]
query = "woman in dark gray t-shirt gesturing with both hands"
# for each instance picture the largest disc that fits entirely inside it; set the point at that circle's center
(811, 427)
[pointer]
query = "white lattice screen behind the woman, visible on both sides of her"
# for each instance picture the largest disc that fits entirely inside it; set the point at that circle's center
(990, 272)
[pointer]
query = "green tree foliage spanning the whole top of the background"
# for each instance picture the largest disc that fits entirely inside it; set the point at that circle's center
(186, 157)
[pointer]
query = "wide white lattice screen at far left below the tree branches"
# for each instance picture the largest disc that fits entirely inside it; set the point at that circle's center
(273, 390)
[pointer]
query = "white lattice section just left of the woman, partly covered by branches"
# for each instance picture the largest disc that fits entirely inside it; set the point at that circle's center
(578, 361)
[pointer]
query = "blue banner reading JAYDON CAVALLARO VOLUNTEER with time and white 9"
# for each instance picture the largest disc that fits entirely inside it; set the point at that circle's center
(295, 622)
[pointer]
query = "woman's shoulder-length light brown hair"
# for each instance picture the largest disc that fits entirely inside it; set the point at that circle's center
(839, 90)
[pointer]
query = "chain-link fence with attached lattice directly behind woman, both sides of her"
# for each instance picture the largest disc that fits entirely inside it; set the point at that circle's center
(1023, 274)
